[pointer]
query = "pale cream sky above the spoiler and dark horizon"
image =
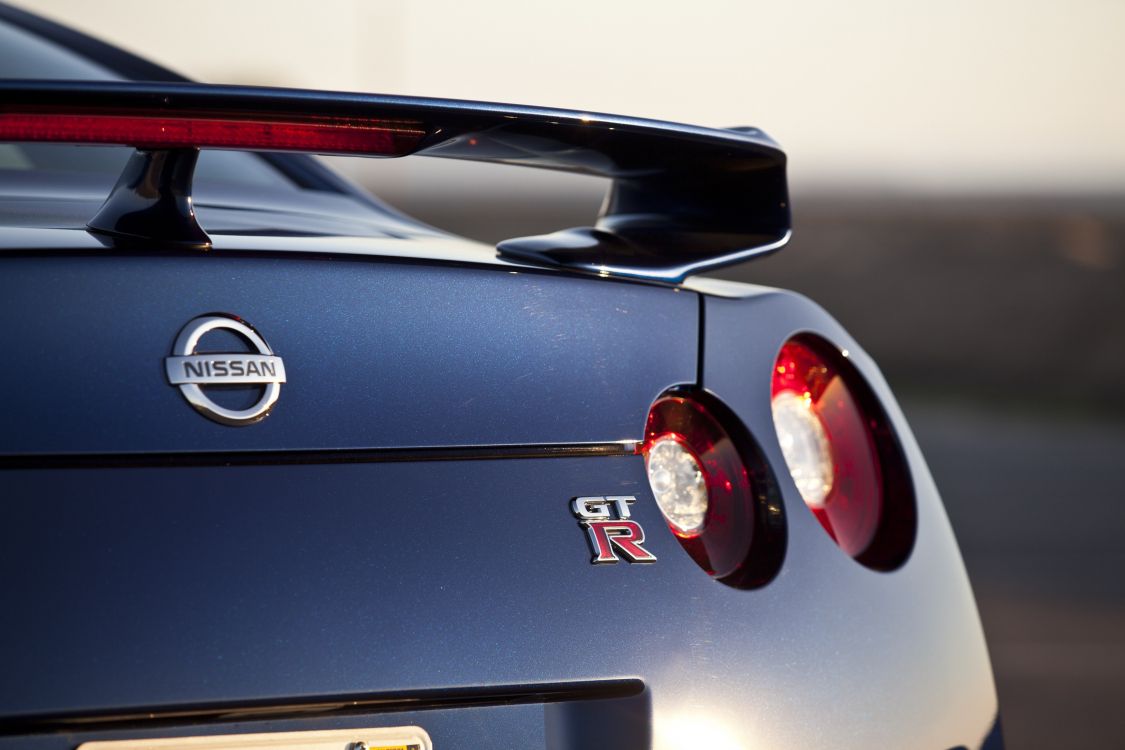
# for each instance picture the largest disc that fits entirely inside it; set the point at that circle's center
(884, 95)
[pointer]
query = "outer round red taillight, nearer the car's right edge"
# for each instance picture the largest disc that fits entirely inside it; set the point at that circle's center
(842, 453)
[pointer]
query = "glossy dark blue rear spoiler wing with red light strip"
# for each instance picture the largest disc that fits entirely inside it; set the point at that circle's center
(683, 201)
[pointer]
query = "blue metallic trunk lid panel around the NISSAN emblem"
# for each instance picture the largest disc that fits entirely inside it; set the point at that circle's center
(377, 355)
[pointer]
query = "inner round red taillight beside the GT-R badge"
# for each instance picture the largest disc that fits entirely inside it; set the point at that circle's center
(714, 490)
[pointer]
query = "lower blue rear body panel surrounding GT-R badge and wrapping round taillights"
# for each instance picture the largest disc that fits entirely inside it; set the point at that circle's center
(257, 583)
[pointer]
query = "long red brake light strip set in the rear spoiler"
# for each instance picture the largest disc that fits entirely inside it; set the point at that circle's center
(327, 135)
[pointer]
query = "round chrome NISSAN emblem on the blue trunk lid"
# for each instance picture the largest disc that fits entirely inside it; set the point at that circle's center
(192, 372)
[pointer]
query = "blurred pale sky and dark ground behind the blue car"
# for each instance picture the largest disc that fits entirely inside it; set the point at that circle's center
(958, 171)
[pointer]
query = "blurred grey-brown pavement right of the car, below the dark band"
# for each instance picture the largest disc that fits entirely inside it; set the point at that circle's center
(1040, 514)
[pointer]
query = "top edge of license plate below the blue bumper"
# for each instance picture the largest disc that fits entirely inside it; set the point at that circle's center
(384, 738)
